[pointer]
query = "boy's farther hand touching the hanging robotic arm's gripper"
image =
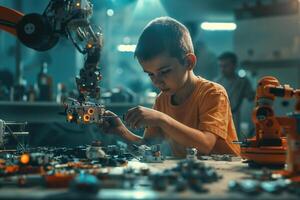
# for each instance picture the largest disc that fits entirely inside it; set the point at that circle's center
(112, 123)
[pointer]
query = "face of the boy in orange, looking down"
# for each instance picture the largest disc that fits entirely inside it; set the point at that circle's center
(166, 73)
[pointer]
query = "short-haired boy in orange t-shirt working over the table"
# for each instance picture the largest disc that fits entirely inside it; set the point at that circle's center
(190, 111)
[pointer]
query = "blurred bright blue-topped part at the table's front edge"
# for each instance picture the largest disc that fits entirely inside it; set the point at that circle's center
(85, 183)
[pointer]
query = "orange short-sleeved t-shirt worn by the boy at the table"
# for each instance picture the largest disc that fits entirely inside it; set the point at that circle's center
(206, 109)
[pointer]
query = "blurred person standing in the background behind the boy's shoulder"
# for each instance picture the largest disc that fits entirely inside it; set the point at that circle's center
(237, 87)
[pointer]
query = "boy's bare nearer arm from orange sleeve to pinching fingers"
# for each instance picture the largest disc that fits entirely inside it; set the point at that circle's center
(204, 141)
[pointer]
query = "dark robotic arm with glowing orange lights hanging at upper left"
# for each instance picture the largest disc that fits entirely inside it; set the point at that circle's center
(70, 19)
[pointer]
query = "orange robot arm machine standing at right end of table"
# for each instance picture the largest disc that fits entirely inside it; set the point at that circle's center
(270, 144)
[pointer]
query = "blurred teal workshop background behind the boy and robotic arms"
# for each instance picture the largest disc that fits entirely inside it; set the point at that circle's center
(265, 37)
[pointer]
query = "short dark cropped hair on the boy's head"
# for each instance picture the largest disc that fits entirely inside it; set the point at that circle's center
(164, 34)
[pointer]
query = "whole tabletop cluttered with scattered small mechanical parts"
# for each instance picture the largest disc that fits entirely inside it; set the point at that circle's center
(134, 172)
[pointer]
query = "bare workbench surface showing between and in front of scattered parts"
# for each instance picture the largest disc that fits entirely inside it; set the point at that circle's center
(229, 170)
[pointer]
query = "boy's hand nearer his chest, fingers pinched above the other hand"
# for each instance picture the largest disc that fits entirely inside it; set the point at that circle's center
(142, 117)
